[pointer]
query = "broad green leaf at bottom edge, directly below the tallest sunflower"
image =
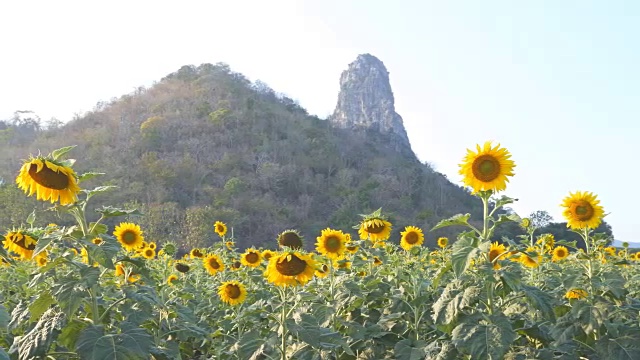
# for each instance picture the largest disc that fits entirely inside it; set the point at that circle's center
(484, 337)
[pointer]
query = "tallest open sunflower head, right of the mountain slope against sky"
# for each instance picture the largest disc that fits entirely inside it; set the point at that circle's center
(488, 168)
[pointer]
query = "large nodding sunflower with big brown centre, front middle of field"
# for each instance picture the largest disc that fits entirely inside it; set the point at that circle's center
(290, 268)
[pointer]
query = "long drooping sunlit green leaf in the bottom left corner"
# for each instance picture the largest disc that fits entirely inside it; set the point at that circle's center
(36, 342)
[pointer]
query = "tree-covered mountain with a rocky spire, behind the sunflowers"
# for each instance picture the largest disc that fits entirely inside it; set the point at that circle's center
(206, 144)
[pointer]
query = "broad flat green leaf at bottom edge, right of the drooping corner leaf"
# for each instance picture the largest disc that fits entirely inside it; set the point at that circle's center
(130, 344)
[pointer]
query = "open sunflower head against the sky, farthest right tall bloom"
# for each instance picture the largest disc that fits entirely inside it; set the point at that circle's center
(582, 210)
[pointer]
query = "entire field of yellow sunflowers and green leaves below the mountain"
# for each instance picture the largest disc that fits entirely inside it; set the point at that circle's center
(95, 292)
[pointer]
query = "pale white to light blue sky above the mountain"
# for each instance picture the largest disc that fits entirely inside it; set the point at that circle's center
(556, 83)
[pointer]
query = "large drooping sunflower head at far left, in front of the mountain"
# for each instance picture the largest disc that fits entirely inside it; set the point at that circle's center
(49, 180)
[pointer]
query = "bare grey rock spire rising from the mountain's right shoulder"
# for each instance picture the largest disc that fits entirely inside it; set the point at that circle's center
(366, 101)
